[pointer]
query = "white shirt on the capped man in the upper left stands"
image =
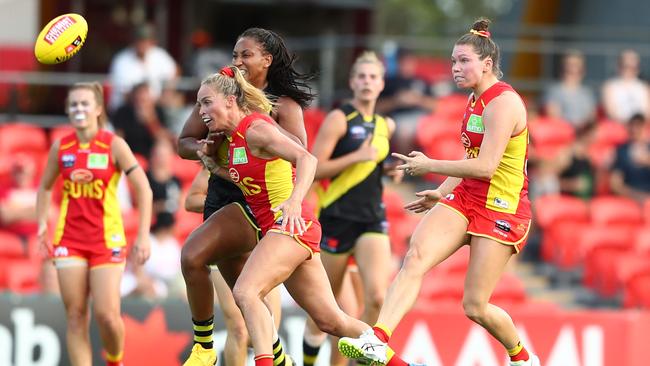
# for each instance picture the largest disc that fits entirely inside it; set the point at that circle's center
(127, 70)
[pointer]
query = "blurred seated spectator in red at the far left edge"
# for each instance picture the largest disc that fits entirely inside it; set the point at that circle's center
(18, 201)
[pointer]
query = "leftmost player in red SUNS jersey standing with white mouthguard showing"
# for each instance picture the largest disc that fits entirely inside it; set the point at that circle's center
(89, 245)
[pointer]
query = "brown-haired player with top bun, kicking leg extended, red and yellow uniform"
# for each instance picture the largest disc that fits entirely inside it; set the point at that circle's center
(483, 203)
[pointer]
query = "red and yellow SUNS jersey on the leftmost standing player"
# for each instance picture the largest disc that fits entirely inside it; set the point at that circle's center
(90, 212)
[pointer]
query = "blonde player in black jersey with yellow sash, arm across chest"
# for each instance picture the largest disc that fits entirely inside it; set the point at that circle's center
(351, 147)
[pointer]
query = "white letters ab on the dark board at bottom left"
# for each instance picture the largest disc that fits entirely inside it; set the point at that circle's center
(27, 338)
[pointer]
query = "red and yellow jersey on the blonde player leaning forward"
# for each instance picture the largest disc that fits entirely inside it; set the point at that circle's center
(265, 182)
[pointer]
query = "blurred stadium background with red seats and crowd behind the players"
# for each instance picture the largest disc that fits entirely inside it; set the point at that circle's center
(580, 291)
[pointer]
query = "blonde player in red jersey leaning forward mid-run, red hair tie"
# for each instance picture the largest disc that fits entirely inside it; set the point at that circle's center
(261, 163)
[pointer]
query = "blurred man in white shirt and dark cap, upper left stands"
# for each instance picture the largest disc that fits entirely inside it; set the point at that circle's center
(142, 62)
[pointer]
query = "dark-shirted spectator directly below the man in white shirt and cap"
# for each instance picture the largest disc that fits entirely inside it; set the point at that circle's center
(141, 120)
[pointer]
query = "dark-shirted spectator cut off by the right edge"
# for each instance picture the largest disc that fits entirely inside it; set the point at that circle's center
(631, 170)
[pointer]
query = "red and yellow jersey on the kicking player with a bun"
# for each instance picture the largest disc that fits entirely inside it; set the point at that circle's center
(507, 191)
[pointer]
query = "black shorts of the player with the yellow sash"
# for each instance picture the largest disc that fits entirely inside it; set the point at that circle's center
(340, 235)
